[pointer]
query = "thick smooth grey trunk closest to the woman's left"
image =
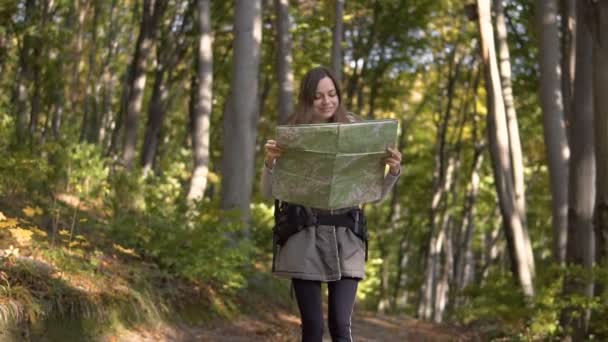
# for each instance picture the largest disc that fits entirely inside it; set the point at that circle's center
(241, 115)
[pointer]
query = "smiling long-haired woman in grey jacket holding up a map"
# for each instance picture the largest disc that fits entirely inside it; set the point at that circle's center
(323, 253)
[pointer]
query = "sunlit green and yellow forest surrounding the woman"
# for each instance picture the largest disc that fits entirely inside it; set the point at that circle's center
(132, 143)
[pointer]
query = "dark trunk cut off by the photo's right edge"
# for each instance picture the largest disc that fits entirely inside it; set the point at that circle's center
(599, 20)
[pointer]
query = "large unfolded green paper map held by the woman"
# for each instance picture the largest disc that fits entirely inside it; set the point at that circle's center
(331, 166)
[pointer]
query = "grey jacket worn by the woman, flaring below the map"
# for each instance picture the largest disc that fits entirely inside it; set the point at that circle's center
(323, 253)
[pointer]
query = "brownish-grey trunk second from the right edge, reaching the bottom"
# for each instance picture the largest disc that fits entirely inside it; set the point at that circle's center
(581, 191)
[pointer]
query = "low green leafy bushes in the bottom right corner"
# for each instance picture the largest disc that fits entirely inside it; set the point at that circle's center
(498, 308)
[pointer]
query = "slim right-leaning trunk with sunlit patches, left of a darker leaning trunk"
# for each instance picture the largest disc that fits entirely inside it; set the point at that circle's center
(152, 10)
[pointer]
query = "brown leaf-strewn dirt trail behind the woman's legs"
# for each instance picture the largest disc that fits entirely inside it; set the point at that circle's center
(283, 326)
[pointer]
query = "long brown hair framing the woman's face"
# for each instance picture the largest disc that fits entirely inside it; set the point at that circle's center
(306, 97)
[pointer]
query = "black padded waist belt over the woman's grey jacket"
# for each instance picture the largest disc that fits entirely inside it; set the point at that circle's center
(292, 218)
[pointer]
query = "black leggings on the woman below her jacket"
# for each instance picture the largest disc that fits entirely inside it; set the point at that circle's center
(341, 299)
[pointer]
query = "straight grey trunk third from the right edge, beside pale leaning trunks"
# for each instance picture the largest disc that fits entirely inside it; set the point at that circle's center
(553, 123)
